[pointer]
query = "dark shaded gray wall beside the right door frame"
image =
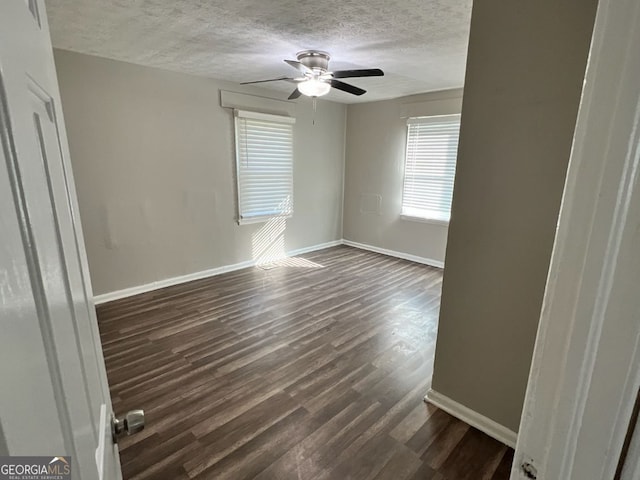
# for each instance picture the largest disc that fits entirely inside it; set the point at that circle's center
(525, 69)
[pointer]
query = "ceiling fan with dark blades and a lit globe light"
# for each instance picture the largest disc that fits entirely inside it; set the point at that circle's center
(317, 80)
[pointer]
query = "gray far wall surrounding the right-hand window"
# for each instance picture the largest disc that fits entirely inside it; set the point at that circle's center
(375, 153)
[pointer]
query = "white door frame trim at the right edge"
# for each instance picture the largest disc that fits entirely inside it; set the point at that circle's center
(585, 373)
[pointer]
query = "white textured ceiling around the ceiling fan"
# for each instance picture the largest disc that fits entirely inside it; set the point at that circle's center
(420, 44)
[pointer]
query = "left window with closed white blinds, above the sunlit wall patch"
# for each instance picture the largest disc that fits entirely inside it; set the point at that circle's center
(264, 162)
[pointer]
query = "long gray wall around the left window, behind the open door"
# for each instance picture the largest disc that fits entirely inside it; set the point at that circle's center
(153, 159)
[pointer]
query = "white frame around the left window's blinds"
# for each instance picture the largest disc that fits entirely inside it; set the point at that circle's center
(282, 119)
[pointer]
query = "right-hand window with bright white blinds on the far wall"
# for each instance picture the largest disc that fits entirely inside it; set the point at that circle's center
(430, 167)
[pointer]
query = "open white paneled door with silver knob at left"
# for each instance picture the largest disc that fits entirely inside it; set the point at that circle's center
(54, 397)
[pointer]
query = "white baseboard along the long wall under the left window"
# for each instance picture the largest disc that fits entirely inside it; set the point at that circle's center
(148, 287)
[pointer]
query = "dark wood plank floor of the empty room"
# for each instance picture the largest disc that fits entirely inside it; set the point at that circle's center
(312, 369)
